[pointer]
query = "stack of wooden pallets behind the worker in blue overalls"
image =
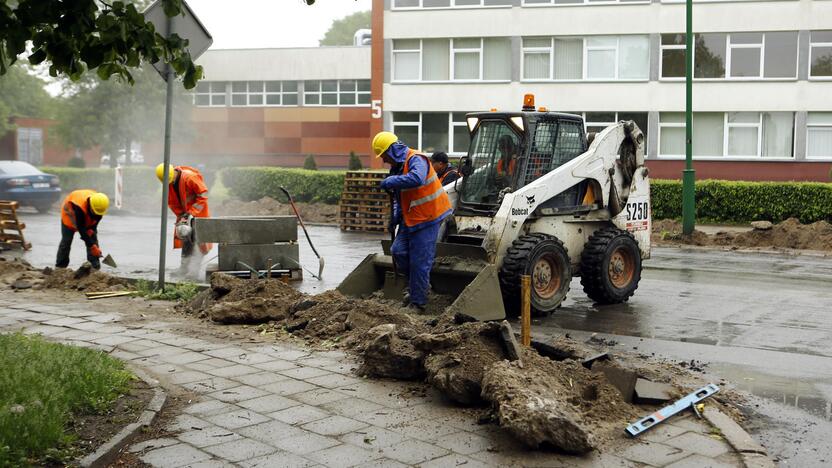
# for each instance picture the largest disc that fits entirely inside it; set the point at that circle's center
(364, 206)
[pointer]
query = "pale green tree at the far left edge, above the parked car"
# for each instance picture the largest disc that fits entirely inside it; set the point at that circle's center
(22, 95)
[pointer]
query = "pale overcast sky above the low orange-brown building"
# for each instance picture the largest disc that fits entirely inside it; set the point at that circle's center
(243, 24)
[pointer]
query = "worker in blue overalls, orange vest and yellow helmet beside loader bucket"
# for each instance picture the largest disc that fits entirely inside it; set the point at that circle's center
(420, 206)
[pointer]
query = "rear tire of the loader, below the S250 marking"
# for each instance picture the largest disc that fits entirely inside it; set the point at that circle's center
(610, 266)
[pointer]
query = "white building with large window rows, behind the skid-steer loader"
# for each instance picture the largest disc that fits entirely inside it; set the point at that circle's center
(762, 75)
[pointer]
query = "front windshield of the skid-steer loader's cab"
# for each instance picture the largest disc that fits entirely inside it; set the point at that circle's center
(494, 154)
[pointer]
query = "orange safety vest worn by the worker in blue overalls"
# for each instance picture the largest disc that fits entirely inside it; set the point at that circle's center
(425, 202)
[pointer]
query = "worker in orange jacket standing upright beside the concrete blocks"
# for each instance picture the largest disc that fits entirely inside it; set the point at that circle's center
(188, 199)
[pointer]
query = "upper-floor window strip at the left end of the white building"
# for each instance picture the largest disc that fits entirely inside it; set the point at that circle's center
(469, 59)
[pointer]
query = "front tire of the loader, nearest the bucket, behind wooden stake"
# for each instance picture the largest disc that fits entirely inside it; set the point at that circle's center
(545, 259)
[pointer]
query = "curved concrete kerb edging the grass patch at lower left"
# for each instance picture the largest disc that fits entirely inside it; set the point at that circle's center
(106, 453)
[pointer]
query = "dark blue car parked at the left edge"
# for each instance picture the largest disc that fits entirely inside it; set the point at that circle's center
(28, 185)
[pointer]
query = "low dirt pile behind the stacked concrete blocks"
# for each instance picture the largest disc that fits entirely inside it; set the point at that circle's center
(267, 206)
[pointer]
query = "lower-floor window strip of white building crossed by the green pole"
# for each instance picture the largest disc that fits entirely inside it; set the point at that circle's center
(731, 134)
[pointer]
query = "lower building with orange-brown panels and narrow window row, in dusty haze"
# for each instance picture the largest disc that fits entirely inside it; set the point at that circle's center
(277, 106)
